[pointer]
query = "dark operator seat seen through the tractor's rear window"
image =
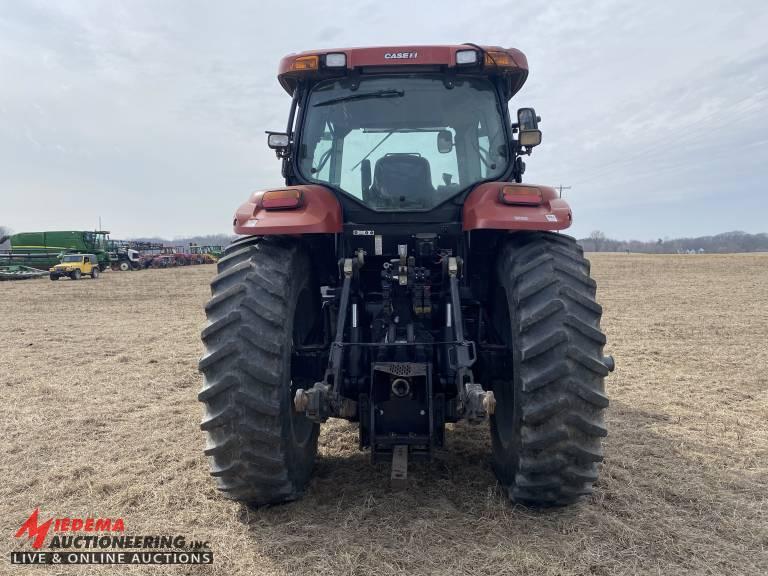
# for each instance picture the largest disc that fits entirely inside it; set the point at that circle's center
(402, 180)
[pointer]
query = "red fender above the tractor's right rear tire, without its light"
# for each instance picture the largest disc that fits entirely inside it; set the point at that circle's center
(484, 210)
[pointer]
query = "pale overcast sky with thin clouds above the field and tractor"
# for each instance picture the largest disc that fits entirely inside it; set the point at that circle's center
(151, 114)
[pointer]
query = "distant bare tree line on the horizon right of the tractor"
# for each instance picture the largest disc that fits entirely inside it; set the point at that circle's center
(726, 242)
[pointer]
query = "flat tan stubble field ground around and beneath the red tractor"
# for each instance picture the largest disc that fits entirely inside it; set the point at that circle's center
(99, 383)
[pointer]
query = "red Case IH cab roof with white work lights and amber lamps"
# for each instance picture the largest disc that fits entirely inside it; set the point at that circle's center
(509, 63)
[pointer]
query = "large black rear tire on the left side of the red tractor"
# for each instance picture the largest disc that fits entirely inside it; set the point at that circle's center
(260, 449)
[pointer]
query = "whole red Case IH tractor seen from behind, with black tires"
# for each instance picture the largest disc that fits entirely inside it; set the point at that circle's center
(403, 278)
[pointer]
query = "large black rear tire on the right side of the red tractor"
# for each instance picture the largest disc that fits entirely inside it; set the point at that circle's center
(548, 422)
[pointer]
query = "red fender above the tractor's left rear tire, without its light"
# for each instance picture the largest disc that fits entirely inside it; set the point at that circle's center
(319, 213)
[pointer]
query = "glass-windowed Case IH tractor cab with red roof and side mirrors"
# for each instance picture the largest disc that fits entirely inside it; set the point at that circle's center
(402, 130)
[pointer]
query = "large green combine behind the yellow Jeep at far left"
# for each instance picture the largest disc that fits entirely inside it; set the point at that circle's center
(41, 250)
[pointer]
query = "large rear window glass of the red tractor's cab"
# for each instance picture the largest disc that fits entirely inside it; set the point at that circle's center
(403, 143)
